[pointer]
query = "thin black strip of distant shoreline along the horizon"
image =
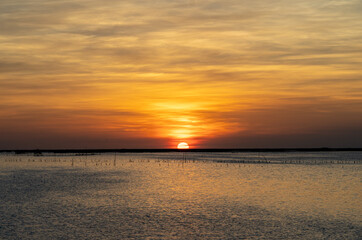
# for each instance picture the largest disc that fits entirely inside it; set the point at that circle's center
(35, 151)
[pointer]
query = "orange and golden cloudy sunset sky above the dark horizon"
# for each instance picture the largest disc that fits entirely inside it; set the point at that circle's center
(151, 74)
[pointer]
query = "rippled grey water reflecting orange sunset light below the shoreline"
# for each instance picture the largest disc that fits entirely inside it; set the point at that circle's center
(182, 196)
